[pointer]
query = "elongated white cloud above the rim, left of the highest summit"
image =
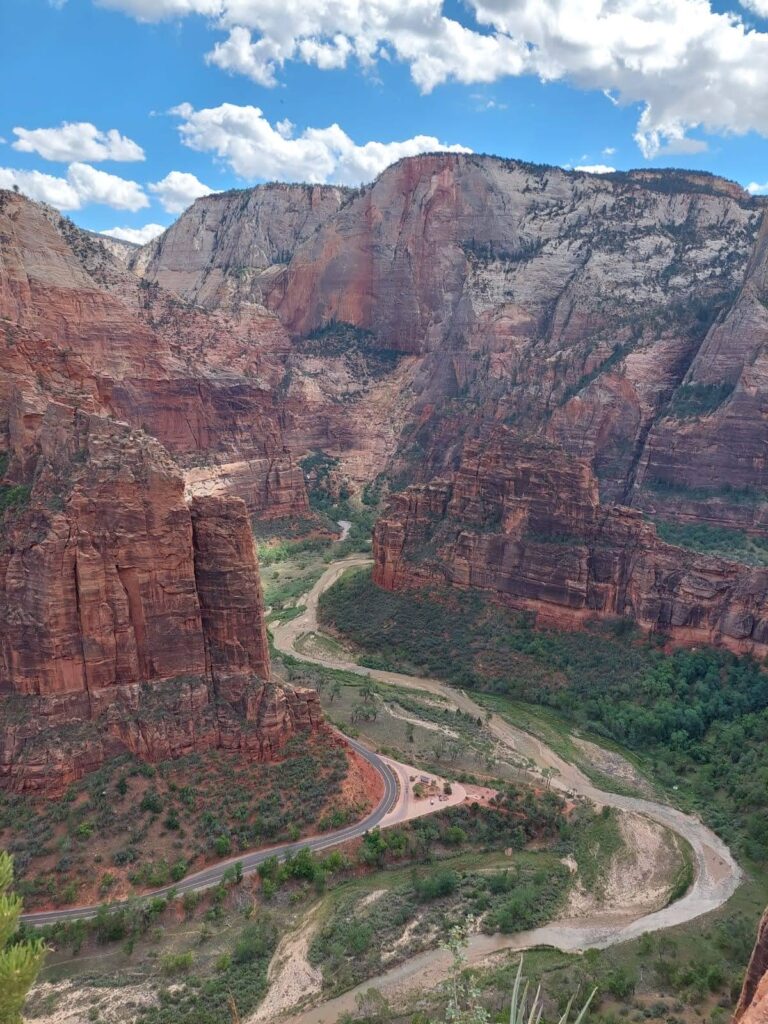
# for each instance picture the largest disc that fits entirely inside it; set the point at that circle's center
(246, 141)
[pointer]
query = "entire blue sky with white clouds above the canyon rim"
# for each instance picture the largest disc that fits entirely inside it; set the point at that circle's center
(629, 83)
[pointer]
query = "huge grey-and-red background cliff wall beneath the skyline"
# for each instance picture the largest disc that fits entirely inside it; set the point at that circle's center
(621, 316)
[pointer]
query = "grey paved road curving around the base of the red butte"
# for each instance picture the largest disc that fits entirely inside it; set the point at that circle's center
(209, 877)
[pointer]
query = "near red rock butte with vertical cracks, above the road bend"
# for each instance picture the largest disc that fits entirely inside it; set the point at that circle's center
(131, 620)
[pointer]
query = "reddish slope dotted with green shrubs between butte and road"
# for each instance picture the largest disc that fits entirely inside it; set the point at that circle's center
(132, 826)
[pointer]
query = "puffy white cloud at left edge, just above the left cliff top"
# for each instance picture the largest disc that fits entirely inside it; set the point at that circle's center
(83, 185)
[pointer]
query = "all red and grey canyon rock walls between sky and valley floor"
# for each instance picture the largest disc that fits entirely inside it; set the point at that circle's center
(531, 367)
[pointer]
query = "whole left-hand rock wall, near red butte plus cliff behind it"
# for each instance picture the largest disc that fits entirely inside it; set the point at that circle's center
(132, 616)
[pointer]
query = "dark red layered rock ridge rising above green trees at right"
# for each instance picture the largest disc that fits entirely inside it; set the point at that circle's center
(523, 521)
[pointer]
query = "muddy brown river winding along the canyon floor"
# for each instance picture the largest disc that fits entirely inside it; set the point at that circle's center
(716, 874)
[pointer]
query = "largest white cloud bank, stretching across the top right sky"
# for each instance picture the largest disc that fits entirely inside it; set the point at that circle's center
(689, 65)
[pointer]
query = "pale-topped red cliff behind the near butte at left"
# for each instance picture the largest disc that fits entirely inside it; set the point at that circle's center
(80, 328)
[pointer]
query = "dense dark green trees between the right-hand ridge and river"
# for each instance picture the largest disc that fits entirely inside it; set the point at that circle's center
(698, 719)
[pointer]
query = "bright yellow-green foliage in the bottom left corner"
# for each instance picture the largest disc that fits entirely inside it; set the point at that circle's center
(21, 960)
